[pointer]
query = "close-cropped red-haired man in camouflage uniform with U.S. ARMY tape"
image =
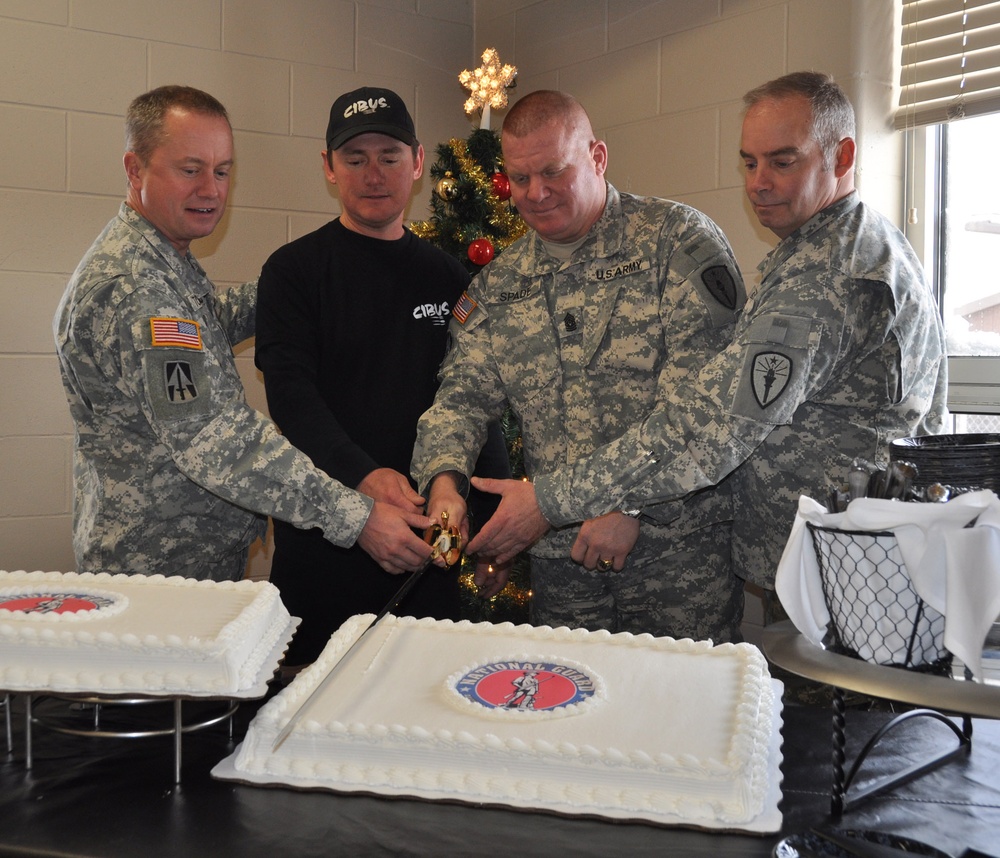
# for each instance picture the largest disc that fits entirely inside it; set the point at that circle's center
(585, 325)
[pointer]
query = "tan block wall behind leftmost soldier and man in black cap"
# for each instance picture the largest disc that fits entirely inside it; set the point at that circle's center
(69, 70)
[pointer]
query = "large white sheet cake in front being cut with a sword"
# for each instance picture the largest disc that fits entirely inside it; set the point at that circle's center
(571, 721)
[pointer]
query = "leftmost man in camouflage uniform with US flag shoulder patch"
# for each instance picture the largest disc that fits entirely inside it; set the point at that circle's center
(174, 473)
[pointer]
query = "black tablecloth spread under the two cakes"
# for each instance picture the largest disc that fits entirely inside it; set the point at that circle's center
(87, 796)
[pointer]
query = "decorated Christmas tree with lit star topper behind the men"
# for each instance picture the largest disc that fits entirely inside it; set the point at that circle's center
(473, 219)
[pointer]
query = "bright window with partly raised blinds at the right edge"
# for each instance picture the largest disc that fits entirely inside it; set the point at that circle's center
(950, 107)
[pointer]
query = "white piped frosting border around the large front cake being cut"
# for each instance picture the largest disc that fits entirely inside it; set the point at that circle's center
(747, 754)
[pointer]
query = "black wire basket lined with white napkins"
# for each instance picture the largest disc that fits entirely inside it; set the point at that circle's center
(876, 615)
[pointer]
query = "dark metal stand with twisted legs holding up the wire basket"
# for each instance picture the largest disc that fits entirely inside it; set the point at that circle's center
(787, 648)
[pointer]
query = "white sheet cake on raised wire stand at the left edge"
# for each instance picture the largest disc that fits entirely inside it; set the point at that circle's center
(115, 634)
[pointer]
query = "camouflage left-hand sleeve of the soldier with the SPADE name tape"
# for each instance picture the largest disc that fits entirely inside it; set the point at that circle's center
(451, 433)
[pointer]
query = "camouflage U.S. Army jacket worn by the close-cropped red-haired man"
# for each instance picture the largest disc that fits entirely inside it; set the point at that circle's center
(584, 349)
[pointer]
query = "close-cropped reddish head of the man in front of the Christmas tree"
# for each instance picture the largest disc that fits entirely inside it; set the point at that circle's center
(555, 164)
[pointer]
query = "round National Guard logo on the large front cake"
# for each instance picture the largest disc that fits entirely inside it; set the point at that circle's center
(526, 685)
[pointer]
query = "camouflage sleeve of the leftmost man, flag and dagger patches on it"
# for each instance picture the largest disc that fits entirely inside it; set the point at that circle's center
(189, 395)
